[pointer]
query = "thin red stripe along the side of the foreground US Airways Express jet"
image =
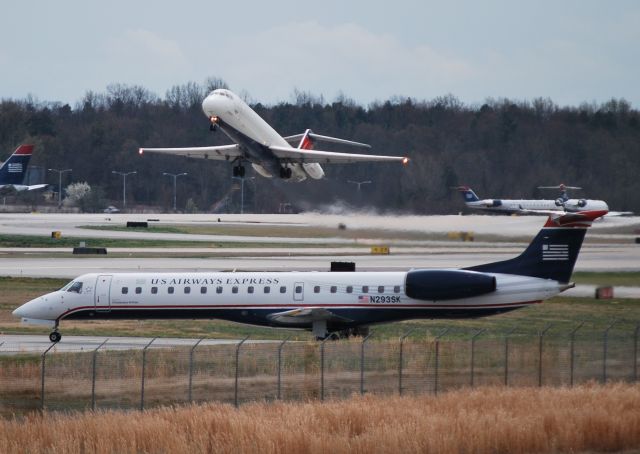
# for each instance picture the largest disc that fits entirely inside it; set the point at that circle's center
(296, 306)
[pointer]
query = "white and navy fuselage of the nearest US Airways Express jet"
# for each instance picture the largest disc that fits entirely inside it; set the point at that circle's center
(352, 298)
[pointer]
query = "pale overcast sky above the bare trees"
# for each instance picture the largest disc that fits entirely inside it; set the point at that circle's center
(569, 51)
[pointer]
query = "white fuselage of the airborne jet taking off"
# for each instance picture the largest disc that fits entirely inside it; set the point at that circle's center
(245, 127)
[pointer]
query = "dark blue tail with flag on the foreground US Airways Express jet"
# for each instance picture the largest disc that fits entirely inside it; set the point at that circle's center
(553, 252)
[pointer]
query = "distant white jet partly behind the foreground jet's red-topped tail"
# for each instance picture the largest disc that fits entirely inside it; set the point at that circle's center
(530, 206)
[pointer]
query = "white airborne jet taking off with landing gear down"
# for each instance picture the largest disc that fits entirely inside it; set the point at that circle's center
(258, 143)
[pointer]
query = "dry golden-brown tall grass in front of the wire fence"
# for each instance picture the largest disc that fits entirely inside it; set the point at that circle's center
(491, 420)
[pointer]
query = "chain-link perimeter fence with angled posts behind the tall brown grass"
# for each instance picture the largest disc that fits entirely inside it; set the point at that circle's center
(248, 371)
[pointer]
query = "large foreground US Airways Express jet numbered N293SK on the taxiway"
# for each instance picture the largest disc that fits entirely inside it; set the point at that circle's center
(325, 302)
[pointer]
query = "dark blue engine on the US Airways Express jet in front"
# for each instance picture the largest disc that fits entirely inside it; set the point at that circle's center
(438, 285)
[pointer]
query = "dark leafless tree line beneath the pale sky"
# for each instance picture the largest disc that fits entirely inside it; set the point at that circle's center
(502, 148)
